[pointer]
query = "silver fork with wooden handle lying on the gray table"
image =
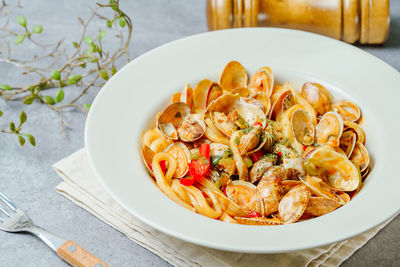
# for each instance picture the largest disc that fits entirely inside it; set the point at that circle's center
(13, 219)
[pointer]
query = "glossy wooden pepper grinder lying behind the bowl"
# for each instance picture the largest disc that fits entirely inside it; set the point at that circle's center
(366, 21)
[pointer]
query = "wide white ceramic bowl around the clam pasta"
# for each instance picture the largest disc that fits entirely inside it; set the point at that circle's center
(129, 101)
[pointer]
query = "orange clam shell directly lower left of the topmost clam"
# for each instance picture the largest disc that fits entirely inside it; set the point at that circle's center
(204, 93)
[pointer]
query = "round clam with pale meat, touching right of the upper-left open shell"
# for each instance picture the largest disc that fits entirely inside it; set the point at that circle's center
(192, 128)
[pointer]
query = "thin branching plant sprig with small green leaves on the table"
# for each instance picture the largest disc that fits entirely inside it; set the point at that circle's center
(88, 65)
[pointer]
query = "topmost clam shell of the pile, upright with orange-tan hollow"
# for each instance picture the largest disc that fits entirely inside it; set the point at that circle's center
(233, 76)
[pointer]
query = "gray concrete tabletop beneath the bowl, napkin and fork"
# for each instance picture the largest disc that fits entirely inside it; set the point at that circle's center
(26, 174)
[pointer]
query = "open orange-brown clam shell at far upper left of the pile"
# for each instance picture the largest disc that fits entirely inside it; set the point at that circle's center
(172, 117)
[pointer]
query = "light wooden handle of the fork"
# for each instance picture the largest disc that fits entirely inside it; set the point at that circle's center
(75, 255)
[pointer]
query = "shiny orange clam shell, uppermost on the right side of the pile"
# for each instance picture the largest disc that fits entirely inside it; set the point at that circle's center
(317, 96)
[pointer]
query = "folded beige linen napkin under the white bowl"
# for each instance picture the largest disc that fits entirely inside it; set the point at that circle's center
(81, 187)
